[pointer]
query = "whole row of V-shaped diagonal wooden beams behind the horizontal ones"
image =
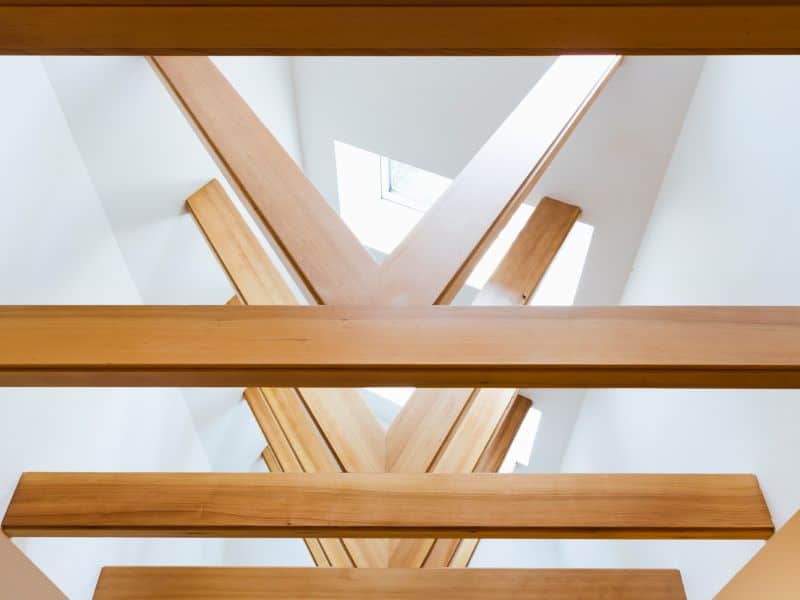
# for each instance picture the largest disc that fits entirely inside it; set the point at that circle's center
(447, 431)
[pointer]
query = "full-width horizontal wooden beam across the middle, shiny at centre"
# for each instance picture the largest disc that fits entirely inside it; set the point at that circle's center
(708, 347)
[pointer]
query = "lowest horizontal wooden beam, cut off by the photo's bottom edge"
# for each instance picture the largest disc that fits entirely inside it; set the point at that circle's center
(216, 583)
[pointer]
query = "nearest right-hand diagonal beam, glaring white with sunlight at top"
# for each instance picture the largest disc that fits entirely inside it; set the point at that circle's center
(433, 261)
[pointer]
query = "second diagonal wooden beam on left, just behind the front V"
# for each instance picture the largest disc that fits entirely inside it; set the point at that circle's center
(348, 425)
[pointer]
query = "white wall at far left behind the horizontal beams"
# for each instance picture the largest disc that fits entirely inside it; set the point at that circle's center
(56, 246)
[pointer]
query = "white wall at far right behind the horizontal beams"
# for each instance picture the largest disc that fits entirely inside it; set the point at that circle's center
(725, 230)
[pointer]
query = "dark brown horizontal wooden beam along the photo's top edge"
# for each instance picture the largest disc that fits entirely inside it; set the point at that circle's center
(414, 27)
